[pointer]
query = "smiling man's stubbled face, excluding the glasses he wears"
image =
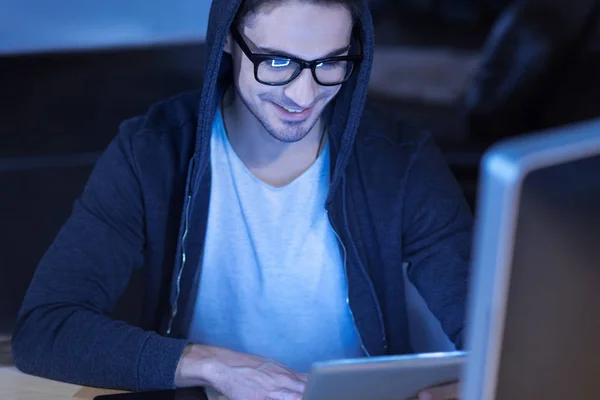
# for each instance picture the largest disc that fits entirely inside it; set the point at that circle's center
(306, 31)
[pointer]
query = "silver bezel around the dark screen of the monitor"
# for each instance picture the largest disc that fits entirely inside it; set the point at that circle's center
(504, 167)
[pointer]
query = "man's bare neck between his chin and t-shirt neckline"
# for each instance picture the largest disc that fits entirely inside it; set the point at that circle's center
(272, 161)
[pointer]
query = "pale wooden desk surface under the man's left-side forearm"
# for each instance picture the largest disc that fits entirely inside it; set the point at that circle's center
(15, 385)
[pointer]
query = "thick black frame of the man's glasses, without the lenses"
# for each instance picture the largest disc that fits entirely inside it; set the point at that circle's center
(257, 59)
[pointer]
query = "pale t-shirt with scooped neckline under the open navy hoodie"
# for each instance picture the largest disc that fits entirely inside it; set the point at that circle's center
(272, 281)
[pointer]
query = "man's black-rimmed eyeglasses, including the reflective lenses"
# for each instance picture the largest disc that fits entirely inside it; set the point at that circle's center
(276, 70)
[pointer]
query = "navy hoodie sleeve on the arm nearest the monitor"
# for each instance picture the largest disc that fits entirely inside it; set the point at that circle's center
(437, 238)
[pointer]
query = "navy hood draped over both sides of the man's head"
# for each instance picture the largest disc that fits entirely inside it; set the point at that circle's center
(346, 108)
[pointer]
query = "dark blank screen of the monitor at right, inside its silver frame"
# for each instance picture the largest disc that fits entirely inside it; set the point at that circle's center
(550, 347)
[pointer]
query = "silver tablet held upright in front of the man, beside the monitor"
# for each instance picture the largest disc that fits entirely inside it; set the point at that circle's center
(382, 378)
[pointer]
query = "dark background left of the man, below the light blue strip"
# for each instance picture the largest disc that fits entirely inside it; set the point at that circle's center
(58, 111)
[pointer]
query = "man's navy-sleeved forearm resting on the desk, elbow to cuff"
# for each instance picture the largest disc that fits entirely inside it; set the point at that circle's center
(75, 345)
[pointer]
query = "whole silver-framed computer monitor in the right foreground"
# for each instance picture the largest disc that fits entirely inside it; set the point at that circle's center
(534, 309)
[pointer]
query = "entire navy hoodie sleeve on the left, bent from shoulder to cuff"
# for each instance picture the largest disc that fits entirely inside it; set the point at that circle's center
(63, 331)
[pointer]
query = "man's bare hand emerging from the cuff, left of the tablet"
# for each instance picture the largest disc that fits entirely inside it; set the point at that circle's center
(239, 376)
